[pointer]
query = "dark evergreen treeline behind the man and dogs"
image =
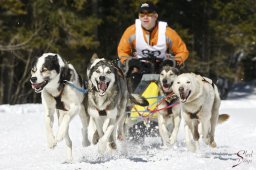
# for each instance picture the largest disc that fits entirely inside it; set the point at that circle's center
(220, 34)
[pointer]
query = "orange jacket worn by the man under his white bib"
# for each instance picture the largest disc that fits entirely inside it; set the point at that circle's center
(174, 43)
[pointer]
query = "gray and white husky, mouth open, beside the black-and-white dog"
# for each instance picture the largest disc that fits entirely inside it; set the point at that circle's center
(107, 101)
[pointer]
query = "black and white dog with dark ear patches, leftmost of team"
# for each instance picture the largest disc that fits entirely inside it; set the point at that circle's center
(48, 75)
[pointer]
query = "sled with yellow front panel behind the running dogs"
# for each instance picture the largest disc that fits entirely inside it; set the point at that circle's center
(143, 121)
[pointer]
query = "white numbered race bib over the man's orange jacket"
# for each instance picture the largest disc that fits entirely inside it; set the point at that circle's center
(144, 49)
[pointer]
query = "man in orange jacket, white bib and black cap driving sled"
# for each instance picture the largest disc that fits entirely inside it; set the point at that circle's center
(149, 38)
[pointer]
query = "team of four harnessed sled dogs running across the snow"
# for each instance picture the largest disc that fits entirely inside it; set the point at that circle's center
(102, 108)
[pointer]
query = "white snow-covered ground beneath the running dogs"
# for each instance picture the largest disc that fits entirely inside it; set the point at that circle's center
(23, 144)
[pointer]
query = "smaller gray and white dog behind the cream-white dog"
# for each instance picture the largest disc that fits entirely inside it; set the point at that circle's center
(169, 118)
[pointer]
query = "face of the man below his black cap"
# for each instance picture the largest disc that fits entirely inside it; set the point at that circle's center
(148, 19)
